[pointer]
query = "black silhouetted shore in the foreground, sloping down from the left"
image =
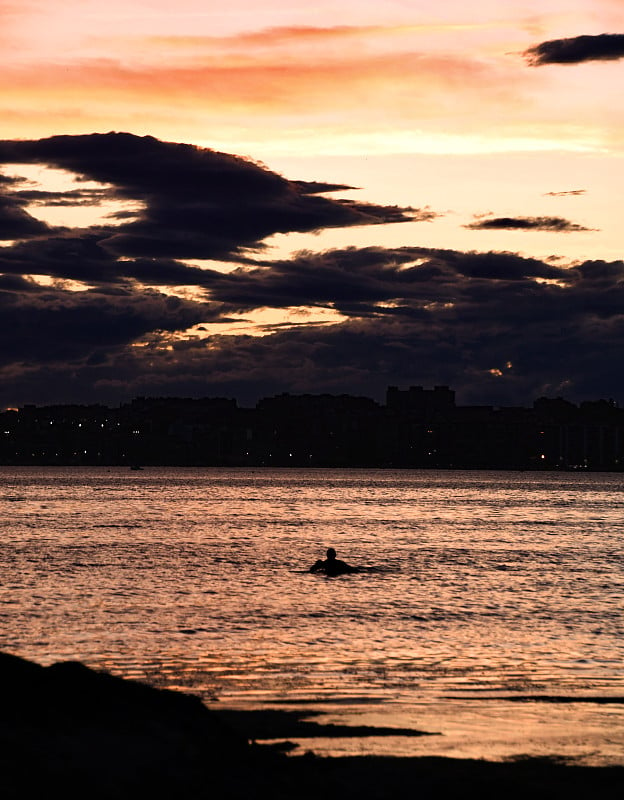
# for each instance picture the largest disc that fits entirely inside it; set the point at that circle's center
(67, 729)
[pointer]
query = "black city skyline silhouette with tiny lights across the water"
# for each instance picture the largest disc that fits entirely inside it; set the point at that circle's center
(415, 428)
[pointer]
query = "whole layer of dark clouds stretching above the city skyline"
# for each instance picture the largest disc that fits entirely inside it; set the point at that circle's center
(118, 311)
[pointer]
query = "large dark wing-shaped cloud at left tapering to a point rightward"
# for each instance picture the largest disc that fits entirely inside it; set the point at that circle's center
(198, 203)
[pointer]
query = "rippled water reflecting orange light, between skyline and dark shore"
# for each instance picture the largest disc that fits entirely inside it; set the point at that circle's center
(485, 595)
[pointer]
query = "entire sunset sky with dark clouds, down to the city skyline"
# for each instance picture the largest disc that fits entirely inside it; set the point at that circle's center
(243, 199)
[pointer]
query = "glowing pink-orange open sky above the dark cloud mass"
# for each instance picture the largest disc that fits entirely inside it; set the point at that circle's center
(345, 92)
